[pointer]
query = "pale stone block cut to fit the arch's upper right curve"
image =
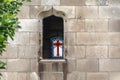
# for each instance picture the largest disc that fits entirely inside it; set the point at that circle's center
(68, 10)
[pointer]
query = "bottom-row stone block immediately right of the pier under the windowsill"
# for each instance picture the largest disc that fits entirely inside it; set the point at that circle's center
(76, 76)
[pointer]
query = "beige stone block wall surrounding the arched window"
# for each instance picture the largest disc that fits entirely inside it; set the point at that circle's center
(92, 40)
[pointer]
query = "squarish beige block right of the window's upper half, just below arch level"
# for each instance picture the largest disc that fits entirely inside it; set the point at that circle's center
(75, 25)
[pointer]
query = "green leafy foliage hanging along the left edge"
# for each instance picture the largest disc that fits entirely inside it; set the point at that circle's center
(8, 22)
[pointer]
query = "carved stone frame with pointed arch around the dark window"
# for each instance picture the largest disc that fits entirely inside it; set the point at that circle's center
(47, 13)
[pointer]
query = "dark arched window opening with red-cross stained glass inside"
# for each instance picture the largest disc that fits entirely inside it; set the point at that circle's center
(53, 30)
